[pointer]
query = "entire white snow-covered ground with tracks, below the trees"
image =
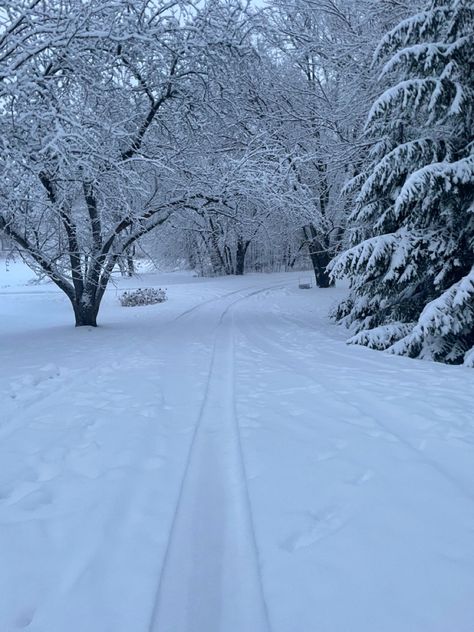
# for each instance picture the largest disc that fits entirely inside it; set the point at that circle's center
(223, 462)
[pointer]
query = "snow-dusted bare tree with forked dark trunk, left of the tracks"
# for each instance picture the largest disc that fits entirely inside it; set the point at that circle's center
(90, 94)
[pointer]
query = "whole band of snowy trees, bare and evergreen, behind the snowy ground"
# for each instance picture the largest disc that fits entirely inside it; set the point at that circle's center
(338, 128)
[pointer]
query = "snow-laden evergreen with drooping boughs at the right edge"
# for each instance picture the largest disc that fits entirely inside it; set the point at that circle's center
(411, 264)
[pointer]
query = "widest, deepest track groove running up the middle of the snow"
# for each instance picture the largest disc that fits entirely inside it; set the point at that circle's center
(211, 581)
